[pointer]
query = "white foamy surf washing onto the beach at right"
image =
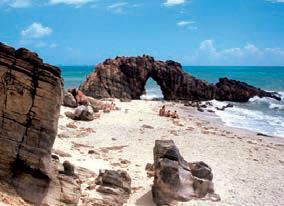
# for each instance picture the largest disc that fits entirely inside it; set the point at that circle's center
(263, 115)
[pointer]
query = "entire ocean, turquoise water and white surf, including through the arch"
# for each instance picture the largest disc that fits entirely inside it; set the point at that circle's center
(259, 115)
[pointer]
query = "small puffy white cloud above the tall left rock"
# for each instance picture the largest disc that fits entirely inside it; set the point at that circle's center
(36, 30)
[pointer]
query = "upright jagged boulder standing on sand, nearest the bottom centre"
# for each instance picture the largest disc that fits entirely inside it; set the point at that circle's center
(177, 180)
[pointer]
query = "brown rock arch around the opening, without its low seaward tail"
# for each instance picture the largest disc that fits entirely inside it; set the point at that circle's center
(126, 77)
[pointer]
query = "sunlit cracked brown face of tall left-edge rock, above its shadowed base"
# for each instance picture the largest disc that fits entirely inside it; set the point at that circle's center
(30, 98)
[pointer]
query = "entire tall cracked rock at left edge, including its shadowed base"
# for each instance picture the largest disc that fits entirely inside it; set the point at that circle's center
(30, 99)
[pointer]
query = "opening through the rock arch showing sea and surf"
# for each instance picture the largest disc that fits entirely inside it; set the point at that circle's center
(152, 90)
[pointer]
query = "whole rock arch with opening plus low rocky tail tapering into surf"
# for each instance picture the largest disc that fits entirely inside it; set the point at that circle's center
(126, 77)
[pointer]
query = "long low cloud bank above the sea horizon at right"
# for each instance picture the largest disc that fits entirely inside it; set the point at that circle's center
(208, 54)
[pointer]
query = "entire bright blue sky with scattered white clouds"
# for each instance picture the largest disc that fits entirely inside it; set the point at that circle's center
(192, 32)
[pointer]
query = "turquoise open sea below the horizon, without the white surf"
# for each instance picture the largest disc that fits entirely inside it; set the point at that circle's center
(269, 78)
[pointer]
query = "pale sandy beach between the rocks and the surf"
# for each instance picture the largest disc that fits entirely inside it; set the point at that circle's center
(248, 169)
